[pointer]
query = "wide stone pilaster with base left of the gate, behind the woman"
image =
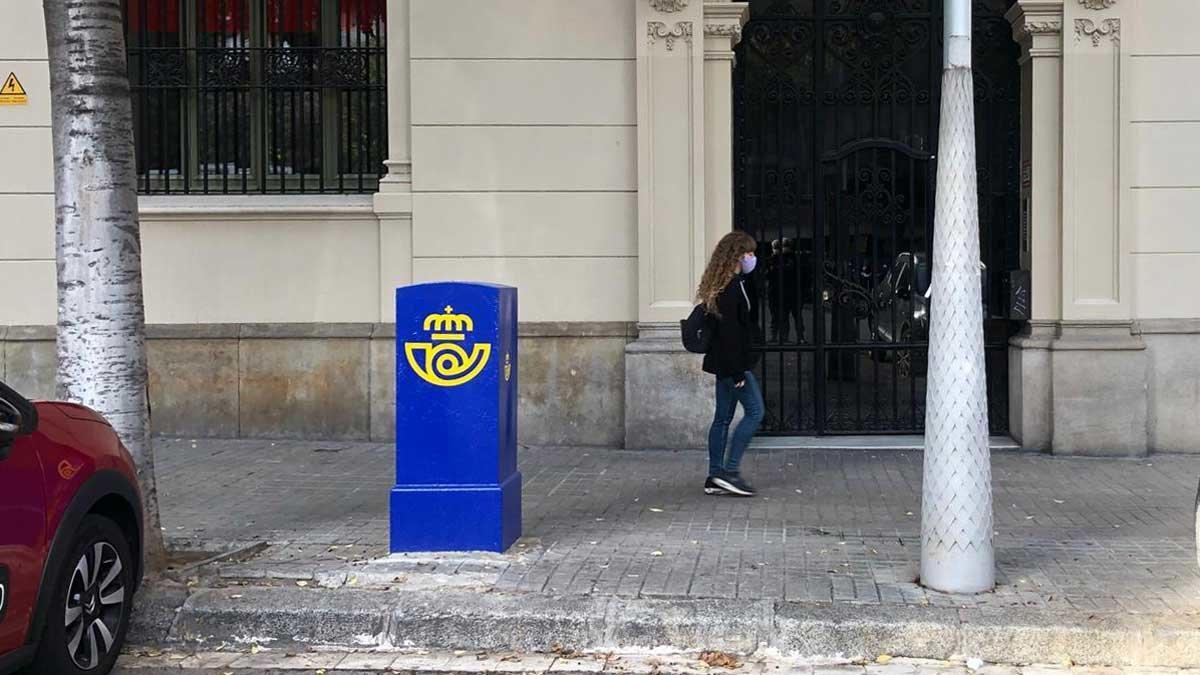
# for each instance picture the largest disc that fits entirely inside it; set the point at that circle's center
(668, 398)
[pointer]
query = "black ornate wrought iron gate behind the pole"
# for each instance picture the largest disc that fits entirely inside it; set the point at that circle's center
(836, 116)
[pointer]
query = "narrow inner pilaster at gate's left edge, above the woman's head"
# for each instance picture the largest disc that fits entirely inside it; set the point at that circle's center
(723, 31)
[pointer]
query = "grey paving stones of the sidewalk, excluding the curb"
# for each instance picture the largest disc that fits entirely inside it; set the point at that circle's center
(1107, 536)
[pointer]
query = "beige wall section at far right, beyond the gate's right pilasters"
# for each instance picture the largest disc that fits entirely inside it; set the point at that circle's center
(1162, 159)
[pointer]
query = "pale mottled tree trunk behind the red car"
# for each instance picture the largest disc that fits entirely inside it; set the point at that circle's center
(101, 333)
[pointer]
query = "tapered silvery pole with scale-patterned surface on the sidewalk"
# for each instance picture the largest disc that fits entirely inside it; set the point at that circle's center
(956, 522)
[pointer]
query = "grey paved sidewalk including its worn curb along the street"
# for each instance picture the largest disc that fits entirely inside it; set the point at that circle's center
(1100, 551)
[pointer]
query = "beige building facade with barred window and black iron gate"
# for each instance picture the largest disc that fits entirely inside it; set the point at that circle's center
(301, 159)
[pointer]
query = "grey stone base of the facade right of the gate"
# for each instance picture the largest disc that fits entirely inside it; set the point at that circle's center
(1107, 390)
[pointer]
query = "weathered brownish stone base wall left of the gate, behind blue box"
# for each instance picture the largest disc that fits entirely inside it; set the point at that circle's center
(338, 381)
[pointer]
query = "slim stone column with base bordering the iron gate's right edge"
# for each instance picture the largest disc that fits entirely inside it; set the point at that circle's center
(1037, 28)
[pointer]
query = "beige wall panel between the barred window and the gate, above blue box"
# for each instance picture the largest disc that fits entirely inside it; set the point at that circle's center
(525, 152)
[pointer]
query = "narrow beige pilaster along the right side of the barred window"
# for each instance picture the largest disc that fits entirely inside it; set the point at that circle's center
(394, 202)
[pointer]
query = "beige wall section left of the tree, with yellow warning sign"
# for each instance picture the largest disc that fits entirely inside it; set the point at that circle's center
(27, 175)
